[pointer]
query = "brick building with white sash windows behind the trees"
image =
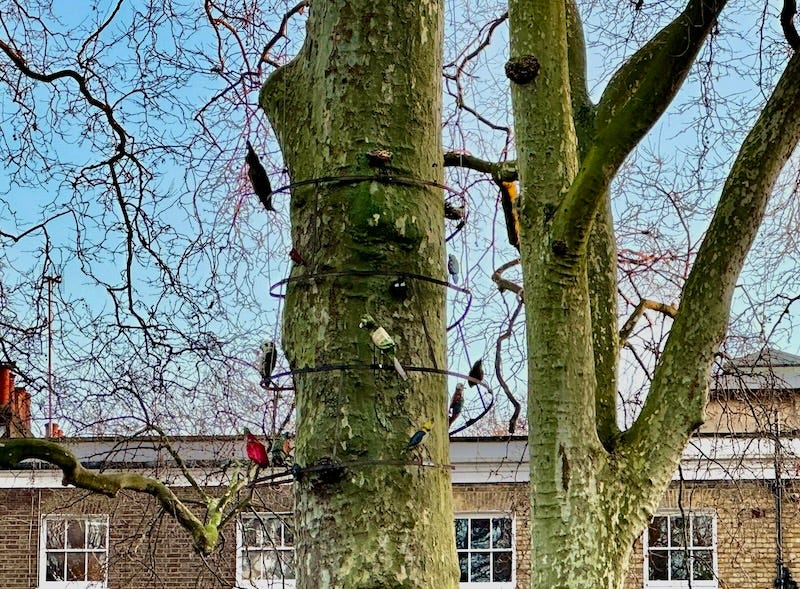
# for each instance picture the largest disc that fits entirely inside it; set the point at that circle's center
(724, 523)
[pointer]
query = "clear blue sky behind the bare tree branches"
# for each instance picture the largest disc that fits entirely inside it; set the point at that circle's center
(225, 251)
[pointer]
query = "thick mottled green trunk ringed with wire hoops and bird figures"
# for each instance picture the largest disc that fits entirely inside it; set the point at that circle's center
(369, 513)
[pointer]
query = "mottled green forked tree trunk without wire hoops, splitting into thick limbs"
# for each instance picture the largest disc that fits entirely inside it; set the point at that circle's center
(593, 487)
